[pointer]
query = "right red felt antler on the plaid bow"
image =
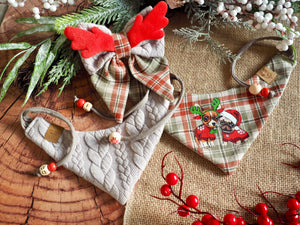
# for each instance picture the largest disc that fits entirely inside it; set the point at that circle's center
(149, 27)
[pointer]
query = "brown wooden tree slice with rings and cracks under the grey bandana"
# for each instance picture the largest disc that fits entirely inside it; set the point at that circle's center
(62, 197)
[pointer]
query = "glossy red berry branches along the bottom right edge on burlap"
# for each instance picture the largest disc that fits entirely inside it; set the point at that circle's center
(188, 207)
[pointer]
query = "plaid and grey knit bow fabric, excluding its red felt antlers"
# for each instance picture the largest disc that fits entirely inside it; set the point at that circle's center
(113, 72)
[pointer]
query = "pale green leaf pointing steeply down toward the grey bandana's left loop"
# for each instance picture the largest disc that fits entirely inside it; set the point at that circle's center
(39, 65)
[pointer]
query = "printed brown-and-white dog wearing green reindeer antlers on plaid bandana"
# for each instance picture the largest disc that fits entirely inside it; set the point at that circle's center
(205, 133)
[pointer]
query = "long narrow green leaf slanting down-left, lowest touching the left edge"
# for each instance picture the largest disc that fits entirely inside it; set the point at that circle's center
(13, 73)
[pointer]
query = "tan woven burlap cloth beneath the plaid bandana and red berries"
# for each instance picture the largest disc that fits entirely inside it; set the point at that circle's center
(261, 165)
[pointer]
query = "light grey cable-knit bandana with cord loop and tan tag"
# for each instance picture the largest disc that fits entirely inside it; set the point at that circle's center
(114, 168)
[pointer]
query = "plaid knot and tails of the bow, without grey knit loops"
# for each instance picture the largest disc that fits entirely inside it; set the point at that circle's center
(115, 81)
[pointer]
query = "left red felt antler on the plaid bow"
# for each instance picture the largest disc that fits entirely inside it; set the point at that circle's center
(90, 43)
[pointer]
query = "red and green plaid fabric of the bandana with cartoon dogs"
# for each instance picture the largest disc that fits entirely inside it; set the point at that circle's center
(247, 112)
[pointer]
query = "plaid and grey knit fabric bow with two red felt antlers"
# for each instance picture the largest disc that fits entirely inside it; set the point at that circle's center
(116, 61)
